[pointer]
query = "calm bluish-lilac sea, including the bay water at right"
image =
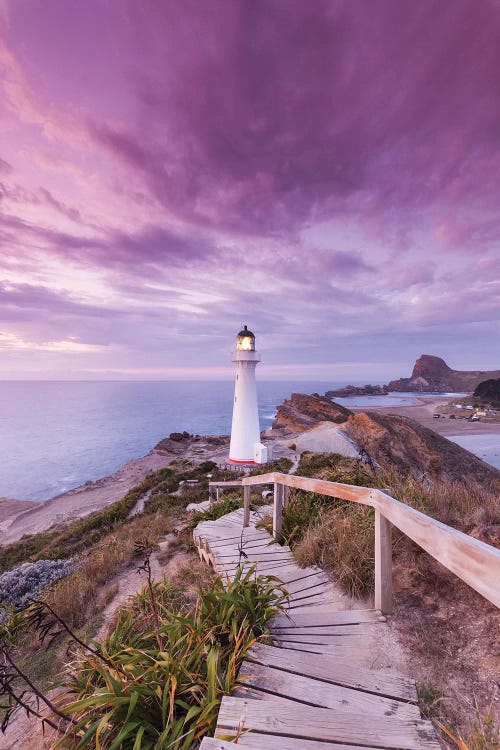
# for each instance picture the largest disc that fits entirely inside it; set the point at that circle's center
(56, 435)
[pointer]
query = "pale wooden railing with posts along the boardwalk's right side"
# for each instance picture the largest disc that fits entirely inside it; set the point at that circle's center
(473, 561)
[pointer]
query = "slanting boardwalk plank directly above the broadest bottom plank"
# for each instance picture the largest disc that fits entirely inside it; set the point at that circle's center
(313, 692)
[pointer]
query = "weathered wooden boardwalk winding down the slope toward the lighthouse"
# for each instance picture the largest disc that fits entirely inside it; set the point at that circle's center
(310, 690)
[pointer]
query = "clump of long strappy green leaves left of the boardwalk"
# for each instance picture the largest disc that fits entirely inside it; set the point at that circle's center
(168, 667)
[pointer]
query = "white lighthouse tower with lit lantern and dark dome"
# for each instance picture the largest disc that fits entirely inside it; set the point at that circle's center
(246, 447)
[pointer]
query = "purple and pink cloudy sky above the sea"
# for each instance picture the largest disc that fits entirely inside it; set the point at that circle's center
(326, 172)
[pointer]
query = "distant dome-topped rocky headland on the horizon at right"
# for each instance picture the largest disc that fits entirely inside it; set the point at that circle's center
(433, 374)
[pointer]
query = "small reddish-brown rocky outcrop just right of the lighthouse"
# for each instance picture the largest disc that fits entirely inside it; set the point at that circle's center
(301, 412)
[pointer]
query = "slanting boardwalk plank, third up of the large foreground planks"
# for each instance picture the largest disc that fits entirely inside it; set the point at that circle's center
(329, 669)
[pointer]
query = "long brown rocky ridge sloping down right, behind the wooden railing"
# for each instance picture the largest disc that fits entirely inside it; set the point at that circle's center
(401, 443)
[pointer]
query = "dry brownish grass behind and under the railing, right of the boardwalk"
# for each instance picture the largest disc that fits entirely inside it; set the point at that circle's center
(339, 535)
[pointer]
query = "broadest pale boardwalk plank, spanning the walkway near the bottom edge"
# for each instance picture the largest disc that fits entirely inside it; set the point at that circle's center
(322, 724)
